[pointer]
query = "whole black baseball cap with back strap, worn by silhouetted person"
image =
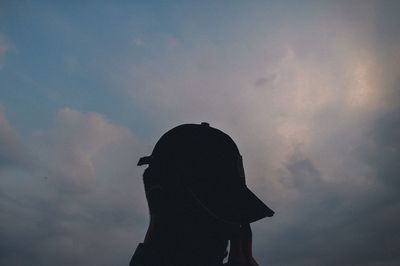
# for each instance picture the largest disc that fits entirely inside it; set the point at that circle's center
(208, 164)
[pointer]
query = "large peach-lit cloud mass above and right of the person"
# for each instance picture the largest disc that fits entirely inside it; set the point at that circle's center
(302, 117)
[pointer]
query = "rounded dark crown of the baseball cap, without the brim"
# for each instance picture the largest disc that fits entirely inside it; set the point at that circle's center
(199, 154)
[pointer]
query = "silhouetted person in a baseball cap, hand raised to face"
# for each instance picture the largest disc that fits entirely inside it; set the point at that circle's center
(198, 201)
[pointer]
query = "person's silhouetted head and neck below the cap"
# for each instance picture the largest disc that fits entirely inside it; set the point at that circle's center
(179, 224)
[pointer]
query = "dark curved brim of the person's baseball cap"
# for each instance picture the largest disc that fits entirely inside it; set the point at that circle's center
(232, 205)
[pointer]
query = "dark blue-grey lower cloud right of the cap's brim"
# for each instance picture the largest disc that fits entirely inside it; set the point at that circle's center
(344, 222)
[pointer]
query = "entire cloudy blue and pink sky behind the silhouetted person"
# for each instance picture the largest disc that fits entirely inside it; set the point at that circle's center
(309, 91)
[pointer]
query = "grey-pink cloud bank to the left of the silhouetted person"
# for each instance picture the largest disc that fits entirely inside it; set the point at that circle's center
(82, 204)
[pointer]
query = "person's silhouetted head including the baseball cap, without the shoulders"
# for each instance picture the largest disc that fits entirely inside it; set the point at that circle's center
(196, 190)
